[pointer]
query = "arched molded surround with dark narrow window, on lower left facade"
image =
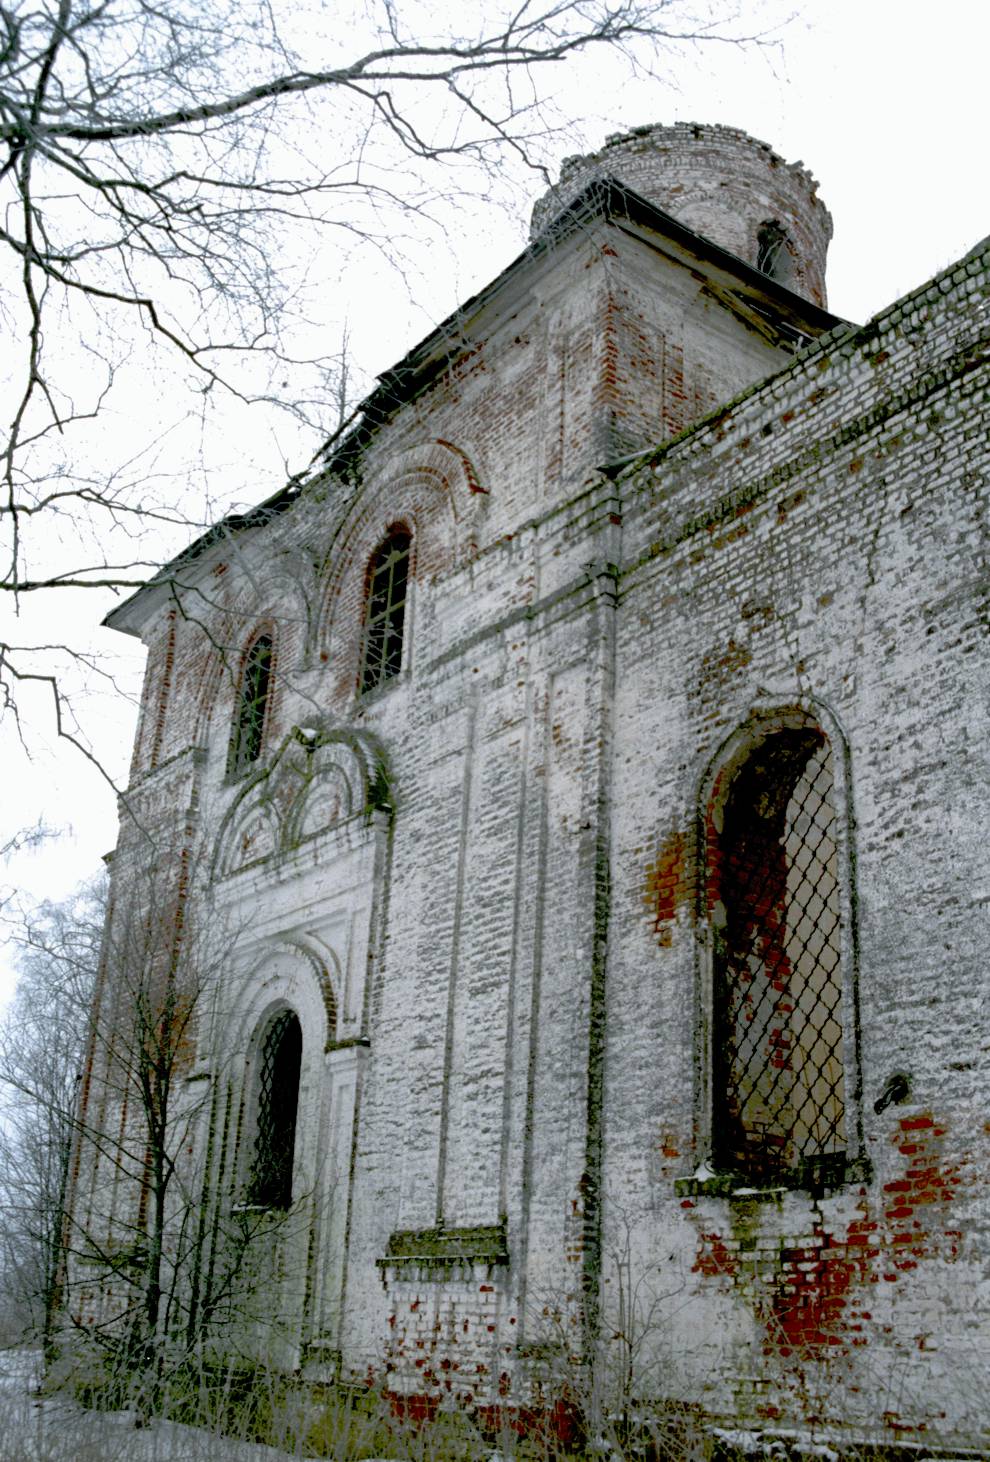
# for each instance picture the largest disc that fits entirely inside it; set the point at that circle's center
(276, 1173)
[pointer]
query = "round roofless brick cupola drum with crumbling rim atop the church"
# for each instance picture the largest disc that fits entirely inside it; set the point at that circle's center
(722, 183)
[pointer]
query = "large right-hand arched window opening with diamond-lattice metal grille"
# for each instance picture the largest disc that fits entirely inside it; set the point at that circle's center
(779, 1075)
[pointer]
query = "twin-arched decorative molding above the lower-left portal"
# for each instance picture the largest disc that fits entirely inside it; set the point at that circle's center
(317, 780)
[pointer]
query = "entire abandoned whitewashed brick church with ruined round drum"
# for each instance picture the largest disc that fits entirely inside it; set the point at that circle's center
(571, 799)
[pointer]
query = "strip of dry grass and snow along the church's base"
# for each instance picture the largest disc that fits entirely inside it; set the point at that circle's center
(258, 1416)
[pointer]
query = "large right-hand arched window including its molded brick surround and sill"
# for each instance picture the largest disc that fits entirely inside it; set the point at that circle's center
(780, 1088)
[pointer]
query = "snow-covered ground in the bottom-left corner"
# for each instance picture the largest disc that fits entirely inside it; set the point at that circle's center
(58, 1431)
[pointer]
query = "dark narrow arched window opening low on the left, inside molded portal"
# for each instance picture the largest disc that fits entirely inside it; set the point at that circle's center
(279, 1090)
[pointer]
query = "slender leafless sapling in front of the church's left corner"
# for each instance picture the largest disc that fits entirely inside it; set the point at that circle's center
(129, 1205)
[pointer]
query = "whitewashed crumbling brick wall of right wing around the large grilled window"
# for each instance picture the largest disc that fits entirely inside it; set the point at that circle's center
(806, 549)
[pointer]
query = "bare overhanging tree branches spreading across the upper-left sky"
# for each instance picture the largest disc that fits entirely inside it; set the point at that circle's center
(167, 173)
